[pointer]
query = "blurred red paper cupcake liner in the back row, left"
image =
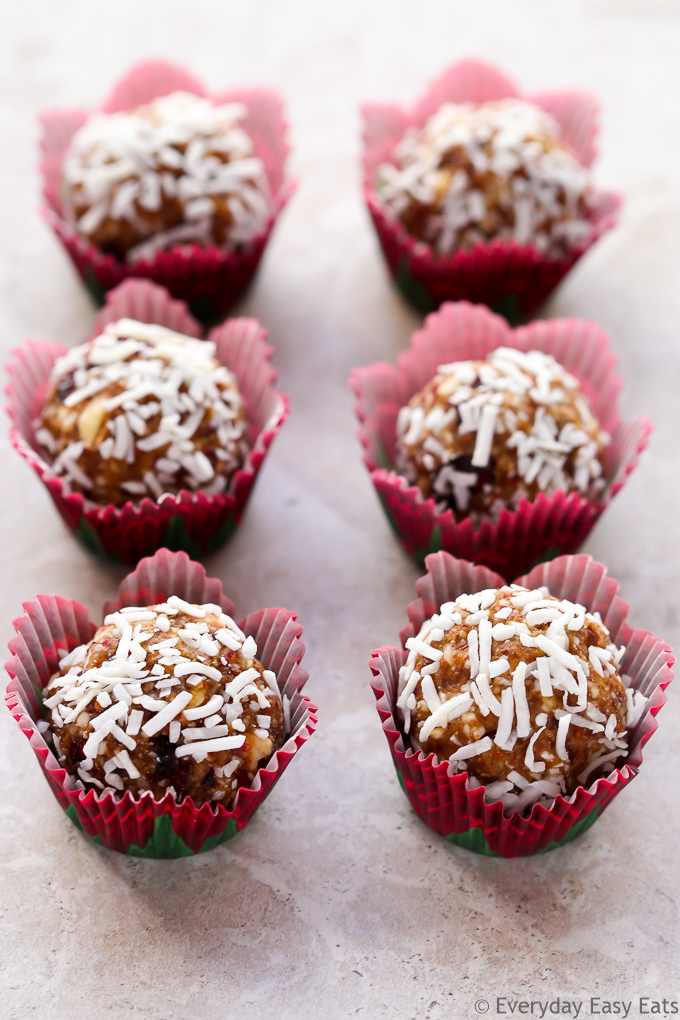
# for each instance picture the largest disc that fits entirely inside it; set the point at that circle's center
(211, 280)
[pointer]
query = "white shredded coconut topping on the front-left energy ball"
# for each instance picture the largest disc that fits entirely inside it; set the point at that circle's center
(138, 700)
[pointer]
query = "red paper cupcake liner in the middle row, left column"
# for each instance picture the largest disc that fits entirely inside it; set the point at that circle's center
(194, 522)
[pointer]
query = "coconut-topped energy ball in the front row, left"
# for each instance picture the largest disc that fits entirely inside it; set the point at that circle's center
(166, 698)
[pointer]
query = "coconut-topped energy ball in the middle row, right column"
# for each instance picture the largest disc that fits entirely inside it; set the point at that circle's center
(482, 436)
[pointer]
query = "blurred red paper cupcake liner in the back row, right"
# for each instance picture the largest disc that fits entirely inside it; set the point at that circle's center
(510, 278)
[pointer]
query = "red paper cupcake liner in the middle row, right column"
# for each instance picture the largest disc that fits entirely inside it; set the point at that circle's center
(540, 529)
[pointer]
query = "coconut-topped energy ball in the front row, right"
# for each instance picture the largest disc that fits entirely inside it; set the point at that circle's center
(520, 690)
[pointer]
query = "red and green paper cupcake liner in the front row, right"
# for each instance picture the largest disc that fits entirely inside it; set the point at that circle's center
(446, 802)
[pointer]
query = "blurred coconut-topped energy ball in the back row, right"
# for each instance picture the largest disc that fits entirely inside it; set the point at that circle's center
(496, 170)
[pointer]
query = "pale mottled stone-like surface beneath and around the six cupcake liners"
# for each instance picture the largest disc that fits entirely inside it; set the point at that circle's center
(337, 901)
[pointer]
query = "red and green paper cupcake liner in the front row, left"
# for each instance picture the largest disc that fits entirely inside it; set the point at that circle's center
(142, 826)
